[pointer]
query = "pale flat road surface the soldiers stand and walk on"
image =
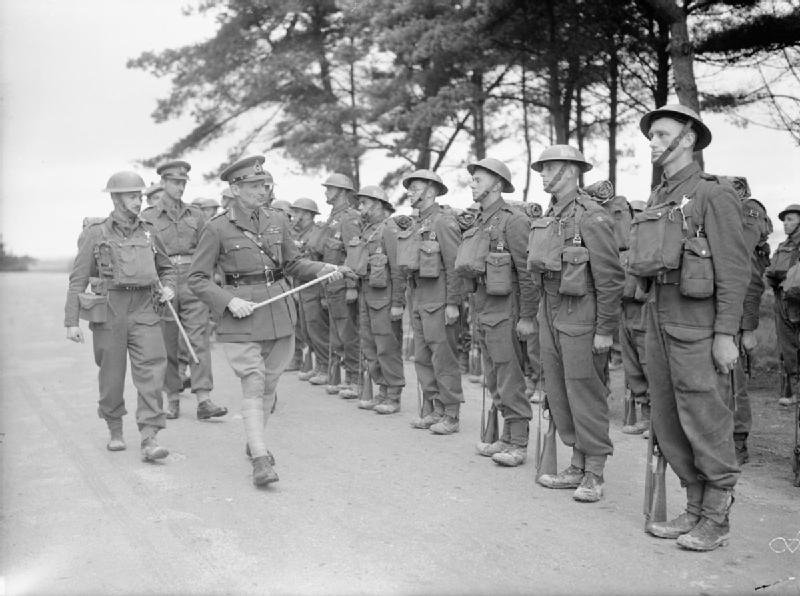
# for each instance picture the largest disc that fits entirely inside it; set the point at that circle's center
(365, 504)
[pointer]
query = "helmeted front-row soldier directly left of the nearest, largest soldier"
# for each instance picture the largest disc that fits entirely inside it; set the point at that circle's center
(575, 260)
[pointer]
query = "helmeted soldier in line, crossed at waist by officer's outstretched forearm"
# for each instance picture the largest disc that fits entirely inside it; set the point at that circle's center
(313, 315)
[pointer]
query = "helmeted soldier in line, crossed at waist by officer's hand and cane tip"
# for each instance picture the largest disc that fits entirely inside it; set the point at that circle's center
(344, 224)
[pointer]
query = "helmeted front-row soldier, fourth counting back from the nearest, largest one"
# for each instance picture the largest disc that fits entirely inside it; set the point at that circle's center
(435, 296)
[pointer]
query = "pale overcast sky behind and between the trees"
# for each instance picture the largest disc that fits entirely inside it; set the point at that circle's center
(72, 114)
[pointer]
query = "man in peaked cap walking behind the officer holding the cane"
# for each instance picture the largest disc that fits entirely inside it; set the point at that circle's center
(179, 224)
